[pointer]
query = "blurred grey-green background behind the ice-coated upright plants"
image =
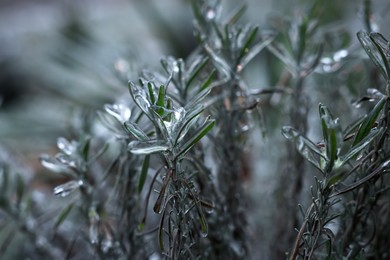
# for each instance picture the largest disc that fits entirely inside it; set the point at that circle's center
(58, 60)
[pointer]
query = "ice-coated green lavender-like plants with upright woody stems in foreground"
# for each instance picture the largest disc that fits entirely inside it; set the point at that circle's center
(162, 171)
